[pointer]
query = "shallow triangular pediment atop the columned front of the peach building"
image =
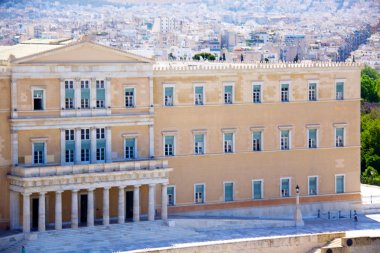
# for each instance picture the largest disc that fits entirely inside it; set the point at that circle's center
(83, 52)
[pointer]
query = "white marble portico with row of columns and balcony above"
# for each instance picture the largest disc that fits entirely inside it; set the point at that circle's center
(103, 178)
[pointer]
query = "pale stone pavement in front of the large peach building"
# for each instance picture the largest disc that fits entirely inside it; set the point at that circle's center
(153, 234)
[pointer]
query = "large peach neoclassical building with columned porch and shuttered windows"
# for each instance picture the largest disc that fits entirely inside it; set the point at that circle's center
(94, 135)
